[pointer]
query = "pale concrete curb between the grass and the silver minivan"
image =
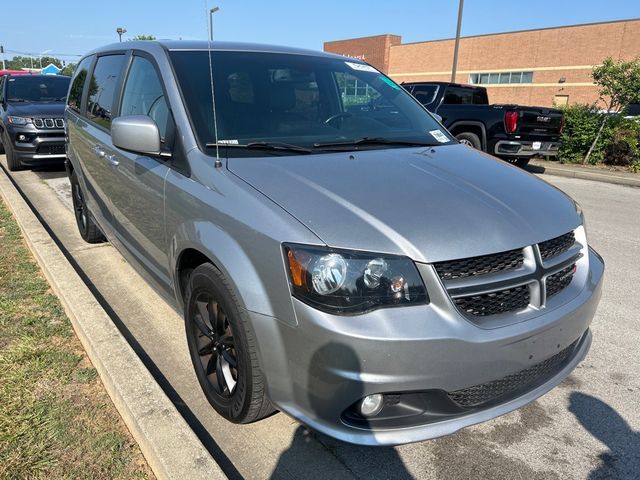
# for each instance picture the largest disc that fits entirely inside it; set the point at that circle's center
(169, 445)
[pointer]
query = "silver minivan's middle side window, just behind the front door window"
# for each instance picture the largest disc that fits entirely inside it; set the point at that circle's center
(102, 89)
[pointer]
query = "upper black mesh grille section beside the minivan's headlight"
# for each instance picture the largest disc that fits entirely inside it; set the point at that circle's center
(469, 267)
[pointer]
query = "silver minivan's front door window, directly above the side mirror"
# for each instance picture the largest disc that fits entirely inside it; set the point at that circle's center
(143, 94)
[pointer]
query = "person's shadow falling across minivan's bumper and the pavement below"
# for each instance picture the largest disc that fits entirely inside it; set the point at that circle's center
(326, 383)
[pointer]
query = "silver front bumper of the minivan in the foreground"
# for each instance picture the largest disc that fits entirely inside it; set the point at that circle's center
(317, 370)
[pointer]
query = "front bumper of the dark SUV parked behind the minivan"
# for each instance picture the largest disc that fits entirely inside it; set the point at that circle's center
(36, 147)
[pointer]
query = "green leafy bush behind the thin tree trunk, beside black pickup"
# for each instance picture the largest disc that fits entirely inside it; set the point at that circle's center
(617, 145)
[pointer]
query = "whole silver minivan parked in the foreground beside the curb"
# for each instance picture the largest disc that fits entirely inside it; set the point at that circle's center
(335, 252)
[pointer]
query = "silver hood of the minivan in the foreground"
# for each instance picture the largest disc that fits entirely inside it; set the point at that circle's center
(431, 204)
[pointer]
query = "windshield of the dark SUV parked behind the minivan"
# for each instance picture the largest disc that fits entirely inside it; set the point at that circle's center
(25, 88)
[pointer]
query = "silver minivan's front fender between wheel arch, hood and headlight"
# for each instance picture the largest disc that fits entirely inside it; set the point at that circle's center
(238, 229)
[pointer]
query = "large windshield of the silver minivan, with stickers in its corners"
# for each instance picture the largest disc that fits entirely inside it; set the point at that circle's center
(291, 103)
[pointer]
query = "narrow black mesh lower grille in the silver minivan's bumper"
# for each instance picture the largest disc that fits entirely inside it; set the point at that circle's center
(510, 385)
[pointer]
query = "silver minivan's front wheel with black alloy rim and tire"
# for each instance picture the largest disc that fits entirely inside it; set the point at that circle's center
(223, 349)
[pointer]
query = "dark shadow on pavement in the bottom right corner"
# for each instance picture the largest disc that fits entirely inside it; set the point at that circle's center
(622, 461)
